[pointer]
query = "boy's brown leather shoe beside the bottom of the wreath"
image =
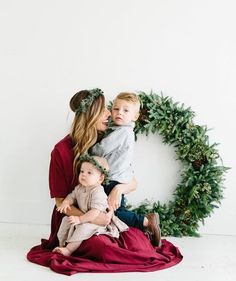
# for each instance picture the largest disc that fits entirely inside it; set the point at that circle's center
(153, 228)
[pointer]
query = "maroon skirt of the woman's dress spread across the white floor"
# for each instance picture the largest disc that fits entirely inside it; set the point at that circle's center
(131, 252)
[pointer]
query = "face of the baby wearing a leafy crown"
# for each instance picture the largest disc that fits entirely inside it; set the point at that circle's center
(89, 175)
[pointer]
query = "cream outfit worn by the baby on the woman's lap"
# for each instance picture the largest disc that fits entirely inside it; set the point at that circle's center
(88, 198)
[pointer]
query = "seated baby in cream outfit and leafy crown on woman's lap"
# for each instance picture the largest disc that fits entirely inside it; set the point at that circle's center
(91, 199)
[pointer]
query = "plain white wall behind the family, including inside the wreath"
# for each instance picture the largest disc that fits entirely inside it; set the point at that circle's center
(51, 49)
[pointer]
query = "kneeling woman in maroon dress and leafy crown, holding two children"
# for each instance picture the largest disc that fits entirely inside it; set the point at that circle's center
(132, 251)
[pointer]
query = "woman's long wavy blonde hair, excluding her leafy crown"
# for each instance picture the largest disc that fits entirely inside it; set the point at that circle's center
(83, 130)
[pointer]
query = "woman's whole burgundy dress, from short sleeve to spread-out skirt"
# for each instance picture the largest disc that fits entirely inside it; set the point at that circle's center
(132, 251)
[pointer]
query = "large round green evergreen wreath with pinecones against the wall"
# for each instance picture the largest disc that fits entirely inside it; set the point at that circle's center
(201, 186)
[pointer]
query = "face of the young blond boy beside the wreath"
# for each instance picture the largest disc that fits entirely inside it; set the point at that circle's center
(123, 112)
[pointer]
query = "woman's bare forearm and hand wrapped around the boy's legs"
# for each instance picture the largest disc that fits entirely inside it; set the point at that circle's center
(114, 197)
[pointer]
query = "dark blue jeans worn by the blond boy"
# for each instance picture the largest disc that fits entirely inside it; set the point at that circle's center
(128, 217)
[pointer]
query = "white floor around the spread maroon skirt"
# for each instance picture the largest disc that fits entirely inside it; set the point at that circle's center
(210, 257)
